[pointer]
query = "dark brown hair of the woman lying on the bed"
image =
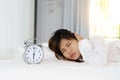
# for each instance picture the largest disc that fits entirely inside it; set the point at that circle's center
(54, 41)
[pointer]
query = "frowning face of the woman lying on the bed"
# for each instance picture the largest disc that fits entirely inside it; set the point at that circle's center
(70, 49)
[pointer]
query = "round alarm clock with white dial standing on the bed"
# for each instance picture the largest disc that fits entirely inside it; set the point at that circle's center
(33, 53)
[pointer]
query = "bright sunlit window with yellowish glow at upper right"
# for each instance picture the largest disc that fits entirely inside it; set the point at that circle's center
(104, 19)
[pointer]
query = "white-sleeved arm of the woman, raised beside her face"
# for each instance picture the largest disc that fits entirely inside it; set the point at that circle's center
(93, 53)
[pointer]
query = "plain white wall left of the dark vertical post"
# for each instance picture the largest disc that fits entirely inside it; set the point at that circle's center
(16, 25)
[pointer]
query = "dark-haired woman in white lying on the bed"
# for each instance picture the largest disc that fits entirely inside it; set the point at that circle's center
(73, 47)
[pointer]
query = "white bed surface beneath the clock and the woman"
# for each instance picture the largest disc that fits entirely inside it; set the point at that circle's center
(52, 69)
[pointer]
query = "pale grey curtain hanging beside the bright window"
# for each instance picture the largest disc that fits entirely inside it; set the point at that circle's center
(75, 16)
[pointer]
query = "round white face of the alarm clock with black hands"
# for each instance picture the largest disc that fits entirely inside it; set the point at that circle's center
(33, 54)
